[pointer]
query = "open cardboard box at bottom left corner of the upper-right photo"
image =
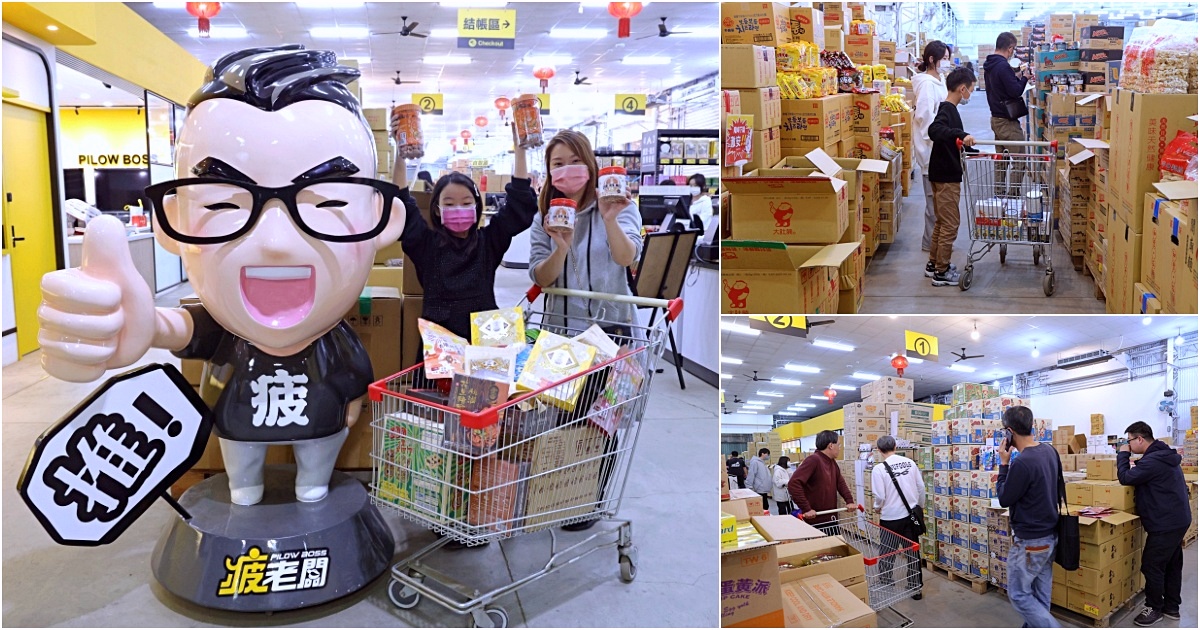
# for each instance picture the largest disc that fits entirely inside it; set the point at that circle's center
(771, 278)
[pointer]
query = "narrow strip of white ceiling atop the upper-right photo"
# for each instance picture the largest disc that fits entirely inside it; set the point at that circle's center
(1023, 13)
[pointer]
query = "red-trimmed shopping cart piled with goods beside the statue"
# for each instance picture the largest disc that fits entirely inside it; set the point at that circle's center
(550, 458)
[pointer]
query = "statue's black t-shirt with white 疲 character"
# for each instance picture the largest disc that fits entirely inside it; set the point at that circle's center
(280, 399)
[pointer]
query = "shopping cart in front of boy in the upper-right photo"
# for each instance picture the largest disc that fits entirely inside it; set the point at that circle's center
(1010, 200)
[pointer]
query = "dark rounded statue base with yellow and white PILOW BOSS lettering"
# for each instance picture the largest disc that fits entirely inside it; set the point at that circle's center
(278, 555)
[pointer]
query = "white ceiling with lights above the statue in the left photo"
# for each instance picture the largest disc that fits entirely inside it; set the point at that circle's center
(471, 89)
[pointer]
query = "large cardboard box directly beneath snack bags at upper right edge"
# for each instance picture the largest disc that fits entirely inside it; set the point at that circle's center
(1143, 125)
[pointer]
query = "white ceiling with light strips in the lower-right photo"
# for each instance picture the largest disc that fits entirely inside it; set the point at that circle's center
(1006, 343)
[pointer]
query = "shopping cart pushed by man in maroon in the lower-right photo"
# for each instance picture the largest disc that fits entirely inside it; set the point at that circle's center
(887, 559)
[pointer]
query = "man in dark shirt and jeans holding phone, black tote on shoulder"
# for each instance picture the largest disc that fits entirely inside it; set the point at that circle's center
(1030, 490)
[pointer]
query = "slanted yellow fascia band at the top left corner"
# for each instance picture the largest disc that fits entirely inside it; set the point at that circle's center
(125, 45)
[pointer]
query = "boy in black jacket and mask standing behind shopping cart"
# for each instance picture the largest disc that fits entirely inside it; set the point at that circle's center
(946, 173)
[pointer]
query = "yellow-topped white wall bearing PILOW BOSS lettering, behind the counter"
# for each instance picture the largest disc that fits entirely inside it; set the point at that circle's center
(103, 133)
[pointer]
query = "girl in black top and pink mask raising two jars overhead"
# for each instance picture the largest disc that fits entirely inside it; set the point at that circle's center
(455, 259)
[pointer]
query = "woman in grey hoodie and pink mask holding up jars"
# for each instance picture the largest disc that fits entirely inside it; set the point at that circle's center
(595, 256)
